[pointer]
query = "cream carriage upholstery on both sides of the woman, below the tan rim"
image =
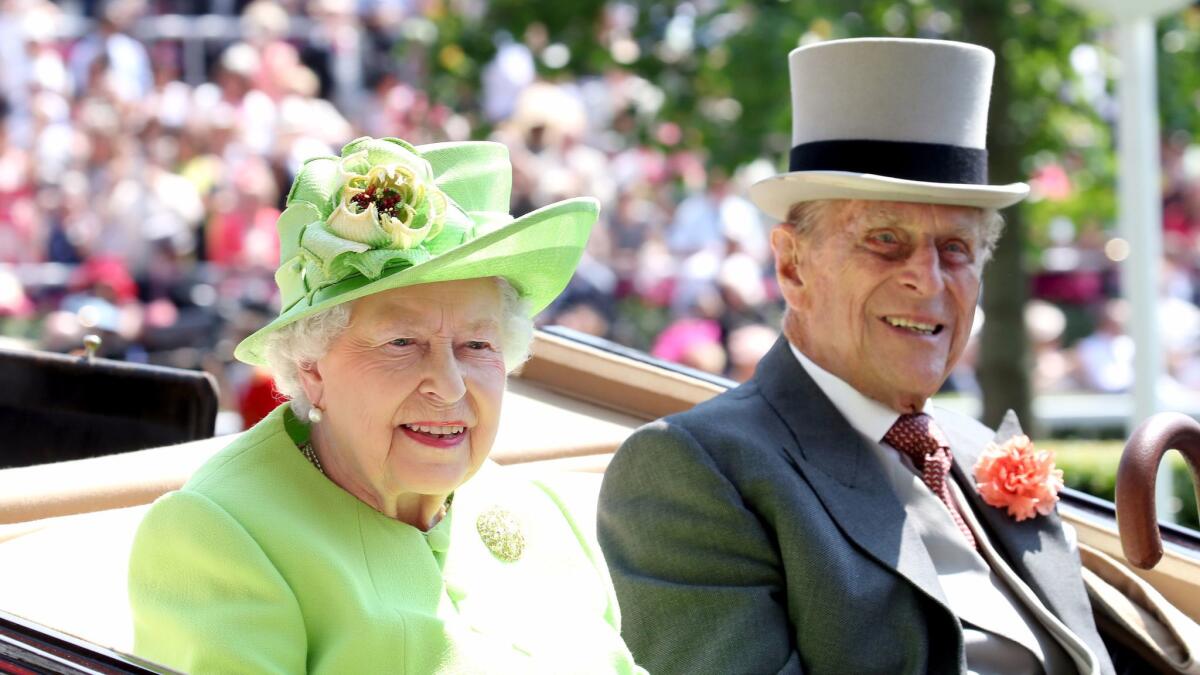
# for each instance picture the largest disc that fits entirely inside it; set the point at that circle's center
(67, 529)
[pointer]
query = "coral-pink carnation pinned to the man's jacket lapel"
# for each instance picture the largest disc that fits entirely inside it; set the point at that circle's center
(1018, 477)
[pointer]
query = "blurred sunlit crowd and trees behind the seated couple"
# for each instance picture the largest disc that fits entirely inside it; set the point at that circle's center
(147, 148)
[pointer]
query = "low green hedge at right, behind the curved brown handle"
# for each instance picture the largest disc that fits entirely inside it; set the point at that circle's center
(1091, 467)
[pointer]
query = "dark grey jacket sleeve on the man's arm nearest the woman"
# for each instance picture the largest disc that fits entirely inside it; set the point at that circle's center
(698, 576)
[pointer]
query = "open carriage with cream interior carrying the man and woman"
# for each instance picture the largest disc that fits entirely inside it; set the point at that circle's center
(67, 528)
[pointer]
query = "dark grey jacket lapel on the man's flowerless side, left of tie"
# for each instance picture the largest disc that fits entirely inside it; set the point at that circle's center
(836, 461)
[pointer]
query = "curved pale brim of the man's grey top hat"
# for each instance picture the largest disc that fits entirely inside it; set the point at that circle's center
(777, 194)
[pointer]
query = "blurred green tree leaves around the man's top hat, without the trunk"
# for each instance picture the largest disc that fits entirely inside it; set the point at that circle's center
(728, 86)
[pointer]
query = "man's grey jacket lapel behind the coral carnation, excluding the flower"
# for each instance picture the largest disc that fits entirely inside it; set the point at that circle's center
(1036, 549)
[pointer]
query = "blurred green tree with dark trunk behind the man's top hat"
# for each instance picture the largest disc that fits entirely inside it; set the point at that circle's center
(723, 70)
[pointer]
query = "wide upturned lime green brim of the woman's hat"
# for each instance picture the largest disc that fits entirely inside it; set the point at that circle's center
(537, 254)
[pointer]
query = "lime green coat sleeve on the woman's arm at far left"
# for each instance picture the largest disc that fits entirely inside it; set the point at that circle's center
(205, 596)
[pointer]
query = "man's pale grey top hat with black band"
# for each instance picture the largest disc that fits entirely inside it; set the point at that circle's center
(889, 120)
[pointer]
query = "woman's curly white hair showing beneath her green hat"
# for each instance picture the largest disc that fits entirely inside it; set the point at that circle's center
(299, 345)
